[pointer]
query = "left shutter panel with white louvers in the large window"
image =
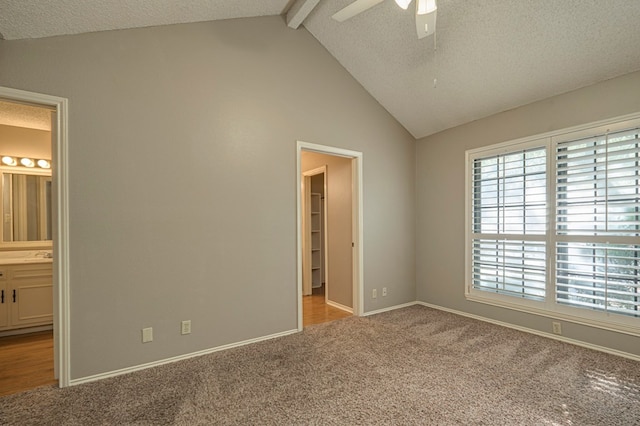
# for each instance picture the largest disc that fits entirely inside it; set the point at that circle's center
(509, 223)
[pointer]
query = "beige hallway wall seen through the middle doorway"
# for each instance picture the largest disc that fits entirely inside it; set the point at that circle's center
(339, 223)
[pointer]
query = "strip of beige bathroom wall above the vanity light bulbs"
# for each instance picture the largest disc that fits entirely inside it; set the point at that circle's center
(19, 141)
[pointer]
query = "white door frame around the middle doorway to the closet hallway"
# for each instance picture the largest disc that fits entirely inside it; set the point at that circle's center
(357, 221)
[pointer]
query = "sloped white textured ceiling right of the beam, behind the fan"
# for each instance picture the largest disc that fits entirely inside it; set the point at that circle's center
(492, 55)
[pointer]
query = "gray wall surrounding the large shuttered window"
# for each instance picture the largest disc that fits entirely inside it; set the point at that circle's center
(441, 191)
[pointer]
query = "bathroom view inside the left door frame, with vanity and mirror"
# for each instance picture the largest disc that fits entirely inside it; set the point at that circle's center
(26, 305)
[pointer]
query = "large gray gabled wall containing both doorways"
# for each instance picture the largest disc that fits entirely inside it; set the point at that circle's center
(173, 133)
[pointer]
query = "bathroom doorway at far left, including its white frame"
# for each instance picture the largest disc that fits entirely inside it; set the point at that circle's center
(38, 227)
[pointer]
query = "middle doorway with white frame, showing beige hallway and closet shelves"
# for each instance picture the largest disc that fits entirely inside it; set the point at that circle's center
(329, 233)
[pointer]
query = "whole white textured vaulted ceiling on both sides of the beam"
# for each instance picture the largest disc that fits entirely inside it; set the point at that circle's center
(492, 55)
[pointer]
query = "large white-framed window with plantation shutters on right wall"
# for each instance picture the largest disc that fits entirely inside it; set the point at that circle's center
(553, 225)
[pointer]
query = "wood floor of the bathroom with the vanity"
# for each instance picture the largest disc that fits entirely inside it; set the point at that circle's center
(26, 362)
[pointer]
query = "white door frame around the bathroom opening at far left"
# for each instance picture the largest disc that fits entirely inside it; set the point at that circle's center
(60, 221)
